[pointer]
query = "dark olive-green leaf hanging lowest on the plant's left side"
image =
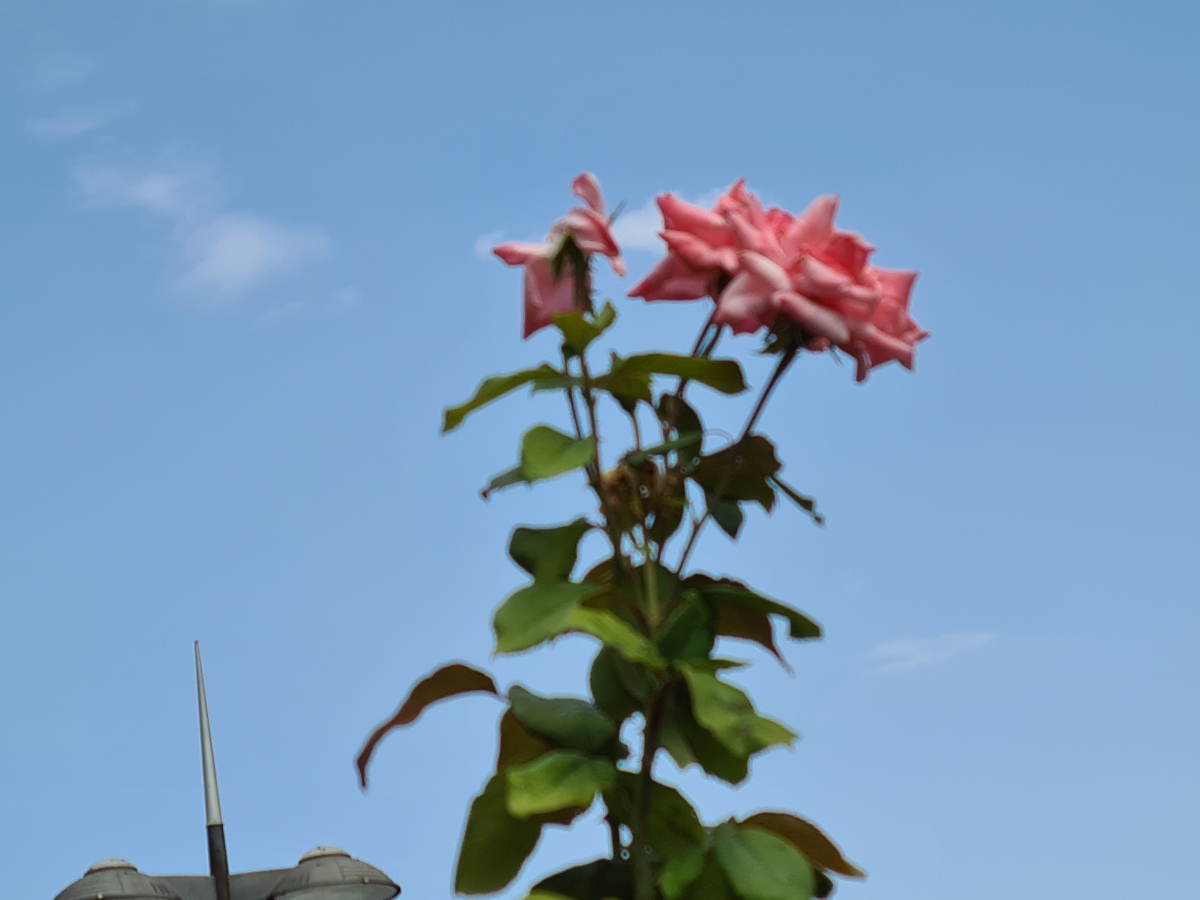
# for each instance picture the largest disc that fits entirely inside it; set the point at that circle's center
(495, 844)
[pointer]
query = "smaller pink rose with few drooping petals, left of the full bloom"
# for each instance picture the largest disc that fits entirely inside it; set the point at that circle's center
(587, 226)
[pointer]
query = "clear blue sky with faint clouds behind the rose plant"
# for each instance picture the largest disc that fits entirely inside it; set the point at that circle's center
(241, 278)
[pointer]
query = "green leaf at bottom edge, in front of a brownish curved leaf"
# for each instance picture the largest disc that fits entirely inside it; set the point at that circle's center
(763, 866)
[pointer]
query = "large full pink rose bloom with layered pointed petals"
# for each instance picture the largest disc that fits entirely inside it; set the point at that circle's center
(763, 265)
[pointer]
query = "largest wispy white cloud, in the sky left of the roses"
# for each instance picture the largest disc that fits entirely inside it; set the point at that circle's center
(224, 255)
